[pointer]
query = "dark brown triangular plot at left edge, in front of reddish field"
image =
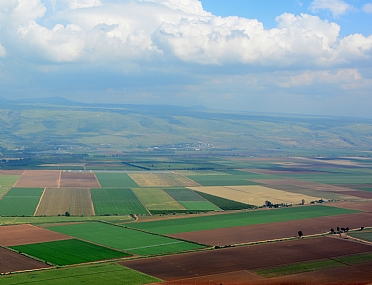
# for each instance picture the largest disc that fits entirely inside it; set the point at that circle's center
(11, 261)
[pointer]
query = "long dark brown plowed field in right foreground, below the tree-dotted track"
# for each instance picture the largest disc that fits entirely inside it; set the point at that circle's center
(178, 267)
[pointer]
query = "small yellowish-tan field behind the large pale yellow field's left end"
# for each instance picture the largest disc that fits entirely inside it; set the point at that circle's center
(161, 179)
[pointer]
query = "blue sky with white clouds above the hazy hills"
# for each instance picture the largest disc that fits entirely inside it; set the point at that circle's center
(297, 57)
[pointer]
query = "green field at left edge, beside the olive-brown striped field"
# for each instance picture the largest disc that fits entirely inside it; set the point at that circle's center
(20, 201)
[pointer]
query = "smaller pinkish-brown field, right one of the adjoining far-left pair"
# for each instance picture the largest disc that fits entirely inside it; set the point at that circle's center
(79, 179)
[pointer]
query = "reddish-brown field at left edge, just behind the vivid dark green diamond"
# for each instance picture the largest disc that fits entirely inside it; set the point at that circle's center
(27, 234)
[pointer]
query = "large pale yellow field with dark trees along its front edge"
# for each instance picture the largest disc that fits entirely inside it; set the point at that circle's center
(255, 194)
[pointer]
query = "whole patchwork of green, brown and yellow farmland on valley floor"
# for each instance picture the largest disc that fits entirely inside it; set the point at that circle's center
(237, 183)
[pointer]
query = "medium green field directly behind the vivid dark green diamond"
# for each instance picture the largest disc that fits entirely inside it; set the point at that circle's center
(132, 241)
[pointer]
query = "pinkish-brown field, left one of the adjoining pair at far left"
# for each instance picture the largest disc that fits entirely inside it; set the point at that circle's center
(39, 178)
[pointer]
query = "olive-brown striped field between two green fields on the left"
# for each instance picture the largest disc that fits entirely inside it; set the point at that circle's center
(60, 200)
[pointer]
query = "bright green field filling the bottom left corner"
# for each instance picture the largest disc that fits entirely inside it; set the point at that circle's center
(112, 274)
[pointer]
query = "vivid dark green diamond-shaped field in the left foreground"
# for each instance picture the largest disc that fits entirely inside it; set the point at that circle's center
(71, 251)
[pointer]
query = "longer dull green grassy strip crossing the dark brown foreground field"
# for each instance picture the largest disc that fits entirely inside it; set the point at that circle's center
(295, 268)
